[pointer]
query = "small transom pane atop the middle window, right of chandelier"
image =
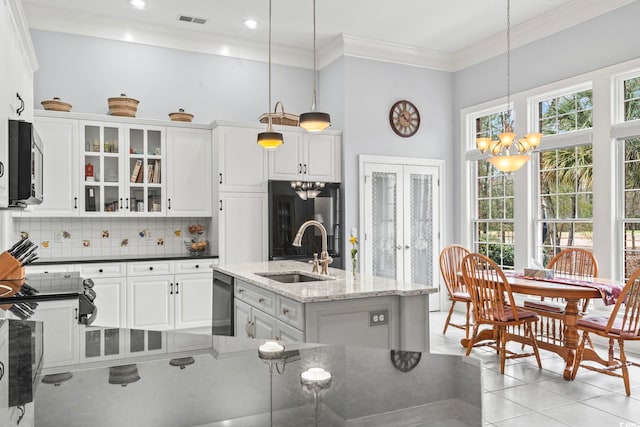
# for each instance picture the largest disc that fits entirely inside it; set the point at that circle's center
(566, 113)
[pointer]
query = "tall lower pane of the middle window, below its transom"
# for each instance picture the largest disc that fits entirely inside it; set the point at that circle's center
(566, 200)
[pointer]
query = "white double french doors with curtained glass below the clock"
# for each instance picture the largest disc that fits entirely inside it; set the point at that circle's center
(401, 223)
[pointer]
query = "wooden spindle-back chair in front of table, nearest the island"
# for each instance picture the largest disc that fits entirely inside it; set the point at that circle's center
(493, 305)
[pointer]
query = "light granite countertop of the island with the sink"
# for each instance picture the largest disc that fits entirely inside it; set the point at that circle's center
(343, 284)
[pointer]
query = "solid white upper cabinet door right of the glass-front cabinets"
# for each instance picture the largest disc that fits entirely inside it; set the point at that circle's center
(189, 172)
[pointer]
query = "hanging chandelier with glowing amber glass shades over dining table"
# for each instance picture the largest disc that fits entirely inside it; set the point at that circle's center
(509, 153)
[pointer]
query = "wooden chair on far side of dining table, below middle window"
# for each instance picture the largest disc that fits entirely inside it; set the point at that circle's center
(570, 262)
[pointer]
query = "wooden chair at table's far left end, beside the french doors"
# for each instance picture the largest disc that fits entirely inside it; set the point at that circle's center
(450, 267)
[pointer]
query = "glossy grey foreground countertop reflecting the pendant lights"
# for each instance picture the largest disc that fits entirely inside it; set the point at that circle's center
(225, 383)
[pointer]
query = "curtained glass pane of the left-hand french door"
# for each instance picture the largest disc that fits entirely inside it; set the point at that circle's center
(384, 189)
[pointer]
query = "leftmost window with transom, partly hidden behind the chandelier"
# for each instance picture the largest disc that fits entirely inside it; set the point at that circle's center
(493, 219)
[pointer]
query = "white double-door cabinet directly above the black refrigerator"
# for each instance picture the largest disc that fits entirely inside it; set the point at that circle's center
(307, 157)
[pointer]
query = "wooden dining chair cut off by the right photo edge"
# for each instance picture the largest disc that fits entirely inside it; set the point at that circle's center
(623, 324)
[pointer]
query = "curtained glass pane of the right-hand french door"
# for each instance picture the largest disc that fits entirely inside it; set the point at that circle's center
(421, 223)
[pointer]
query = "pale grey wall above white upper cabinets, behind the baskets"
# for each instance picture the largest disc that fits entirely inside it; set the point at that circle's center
(86, 71)
